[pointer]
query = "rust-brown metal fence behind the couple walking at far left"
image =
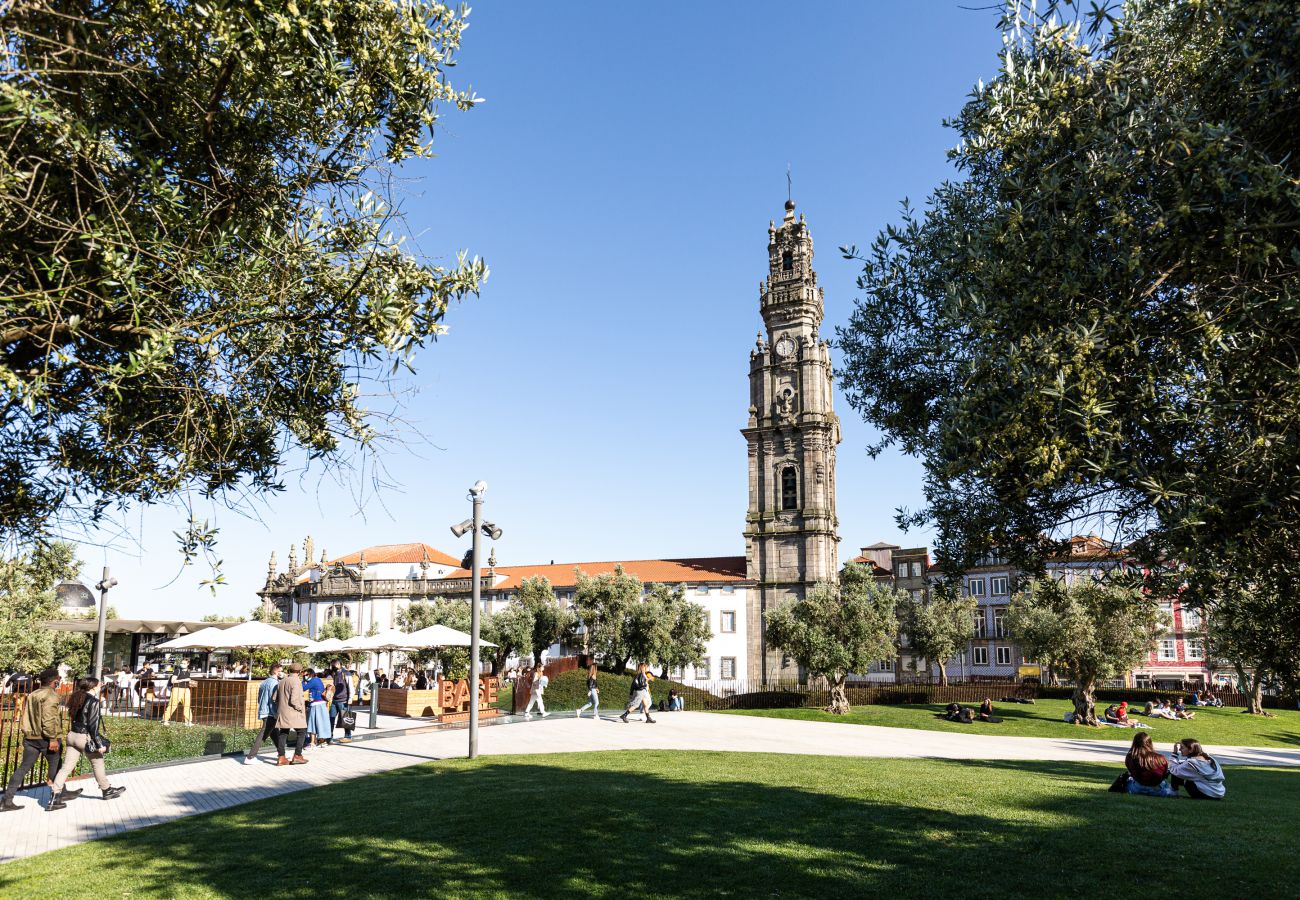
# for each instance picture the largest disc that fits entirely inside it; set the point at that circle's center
(146, 720)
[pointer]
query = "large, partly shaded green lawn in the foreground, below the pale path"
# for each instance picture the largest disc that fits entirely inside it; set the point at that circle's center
(675, 824)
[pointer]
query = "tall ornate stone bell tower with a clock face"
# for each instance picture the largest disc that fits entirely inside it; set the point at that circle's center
(791, 540)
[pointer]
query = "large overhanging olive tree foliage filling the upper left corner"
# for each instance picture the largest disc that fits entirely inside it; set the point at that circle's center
(200, 262)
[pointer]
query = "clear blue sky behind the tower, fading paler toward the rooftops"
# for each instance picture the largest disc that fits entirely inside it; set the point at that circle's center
(619, 180)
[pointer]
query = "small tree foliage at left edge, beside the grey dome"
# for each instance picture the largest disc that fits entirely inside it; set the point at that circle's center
(27, 600)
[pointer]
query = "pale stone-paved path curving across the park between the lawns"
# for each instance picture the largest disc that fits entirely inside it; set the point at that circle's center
(164, 794)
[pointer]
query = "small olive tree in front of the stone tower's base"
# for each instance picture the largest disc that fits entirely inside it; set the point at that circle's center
(838, 630)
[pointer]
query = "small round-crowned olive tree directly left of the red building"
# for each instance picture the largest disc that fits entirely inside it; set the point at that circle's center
(1089, 630)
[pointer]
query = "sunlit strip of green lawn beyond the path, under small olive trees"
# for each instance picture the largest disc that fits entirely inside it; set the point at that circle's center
(1045, 720)
